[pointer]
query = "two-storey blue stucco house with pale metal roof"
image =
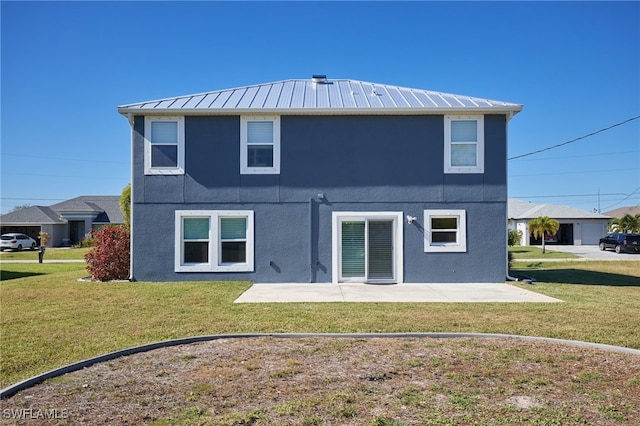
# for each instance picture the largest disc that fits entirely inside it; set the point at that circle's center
(320, 181)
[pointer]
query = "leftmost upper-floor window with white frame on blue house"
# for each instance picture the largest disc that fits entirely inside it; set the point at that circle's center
(163, 145)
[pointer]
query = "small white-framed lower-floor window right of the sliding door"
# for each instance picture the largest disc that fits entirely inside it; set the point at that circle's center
(445, 231)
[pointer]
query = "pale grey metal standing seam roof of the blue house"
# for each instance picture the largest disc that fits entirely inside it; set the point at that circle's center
(320, 96)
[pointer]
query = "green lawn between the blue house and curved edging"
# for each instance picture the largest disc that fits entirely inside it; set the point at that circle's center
(49, 318)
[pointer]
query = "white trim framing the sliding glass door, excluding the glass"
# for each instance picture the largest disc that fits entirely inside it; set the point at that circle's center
(336, 246)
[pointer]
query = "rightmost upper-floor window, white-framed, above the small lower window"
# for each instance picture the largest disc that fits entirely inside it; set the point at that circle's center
(464, 144)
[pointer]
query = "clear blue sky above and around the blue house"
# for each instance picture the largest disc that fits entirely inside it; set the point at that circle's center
(575, 66)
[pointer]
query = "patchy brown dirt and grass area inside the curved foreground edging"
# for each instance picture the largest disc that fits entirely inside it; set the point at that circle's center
(344, 381)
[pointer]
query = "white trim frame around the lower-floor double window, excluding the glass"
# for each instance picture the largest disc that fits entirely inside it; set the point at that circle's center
(214, 264)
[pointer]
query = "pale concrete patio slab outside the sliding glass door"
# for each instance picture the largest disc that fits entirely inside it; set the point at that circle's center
(357, 292)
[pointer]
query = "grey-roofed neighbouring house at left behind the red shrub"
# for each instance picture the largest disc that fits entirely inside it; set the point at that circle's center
(67, 222)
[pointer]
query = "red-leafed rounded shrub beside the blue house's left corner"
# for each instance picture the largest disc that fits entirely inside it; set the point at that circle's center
(109, 258)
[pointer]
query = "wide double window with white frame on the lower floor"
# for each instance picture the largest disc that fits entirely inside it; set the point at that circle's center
(214, 241)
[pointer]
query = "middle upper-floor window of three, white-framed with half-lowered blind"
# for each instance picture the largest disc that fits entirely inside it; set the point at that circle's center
(260, 145)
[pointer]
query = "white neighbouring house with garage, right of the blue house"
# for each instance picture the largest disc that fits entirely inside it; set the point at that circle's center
(577, 227)
